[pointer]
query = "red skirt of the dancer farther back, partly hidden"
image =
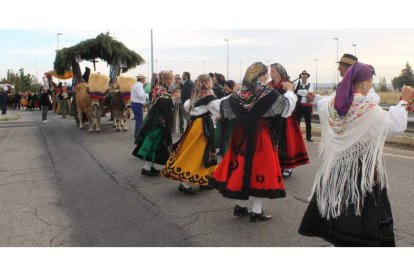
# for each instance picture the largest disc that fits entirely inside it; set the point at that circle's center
(292, 148)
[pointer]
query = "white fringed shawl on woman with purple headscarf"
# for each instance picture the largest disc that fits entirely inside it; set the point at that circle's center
(351, 148)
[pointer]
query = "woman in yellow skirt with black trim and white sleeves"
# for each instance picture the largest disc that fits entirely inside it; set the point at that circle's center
(193, 158)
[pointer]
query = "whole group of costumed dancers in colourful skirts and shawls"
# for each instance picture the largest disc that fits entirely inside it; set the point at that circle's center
(245, 140)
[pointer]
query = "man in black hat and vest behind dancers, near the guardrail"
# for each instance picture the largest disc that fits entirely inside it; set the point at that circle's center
(304, 91)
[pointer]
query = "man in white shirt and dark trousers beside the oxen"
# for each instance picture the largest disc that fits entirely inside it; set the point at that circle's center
(138, 100)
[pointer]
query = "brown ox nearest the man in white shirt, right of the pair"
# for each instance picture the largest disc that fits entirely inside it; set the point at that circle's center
(120, 108)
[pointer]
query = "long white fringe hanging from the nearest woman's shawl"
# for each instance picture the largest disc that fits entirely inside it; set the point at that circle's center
(347, 176)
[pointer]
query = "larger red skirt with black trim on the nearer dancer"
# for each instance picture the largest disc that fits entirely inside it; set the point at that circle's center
(239, 176)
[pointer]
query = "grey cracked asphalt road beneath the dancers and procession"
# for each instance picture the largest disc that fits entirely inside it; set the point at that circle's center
(61, 186)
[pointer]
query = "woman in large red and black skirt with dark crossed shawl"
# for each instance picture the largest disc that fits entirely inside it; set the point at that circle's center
(250, 168)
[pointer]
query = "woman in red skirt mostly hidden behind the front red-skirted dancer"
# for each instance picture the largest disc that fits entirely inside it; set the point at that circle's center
(292, 148)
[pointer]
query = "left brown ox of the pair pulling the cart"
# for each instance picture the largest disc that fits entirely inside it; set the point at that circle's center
(90, 107)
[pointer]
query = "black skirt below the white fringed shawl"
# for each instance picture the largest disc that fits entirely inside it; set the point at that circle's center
(374, 227)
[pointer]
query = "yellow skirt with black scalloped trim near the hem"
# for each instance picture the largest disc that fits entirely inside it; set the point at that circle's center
(186, 161)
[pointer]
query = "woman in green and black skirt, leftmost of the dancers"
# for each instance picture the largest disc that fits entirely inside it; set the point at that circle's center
(154, 138)
